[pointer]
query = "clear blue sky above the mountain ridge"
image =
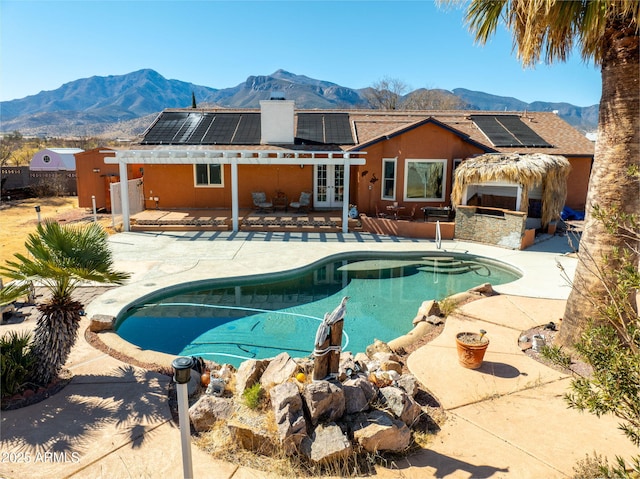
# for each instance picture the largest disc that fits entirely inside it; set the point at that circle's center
(44, 44)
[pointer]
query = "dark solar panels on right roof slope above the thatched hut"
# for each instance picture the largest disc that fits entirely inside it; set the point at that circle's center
(508, 131)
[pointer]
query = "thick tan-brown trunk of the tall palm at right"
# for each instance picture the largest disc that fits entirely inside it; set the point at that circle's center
(612, 184)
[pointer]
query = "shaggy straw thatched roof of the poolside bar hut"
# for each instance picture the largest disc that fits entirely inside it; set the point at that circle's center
(550, 171)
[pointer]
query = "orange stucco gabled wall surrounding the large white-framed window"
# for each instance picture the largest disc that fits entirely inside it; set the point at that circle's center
(428, 141)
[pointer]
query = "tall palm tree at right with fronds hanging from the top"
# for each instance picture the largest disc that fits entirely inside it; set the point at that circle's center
(605, 32)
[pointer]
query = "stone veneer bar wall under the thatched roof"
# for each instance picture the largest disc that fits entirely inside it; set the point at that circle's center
(506, 230)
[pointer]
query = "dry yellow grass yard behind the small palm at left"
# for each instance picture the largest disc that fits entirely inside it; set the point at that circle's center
(19, 218)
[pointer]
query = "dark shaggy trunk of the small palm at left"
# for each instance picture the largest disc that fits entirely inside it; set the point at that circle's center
(54, 336)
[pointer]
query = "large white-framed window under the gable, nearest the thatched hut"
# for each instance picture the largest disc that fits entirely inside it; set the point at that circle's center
(425, 180)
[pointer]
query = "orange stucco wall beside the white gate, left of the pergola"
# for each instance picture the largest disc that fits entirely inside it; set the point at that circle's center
(96, 183)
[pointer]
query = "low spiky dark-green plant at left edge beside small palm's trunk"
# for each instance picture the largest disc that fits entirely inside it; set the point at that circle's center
(17, 361)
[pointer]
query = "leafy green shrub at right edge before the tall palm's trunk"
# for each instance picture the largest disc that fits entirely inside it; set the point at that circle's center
(611, 342)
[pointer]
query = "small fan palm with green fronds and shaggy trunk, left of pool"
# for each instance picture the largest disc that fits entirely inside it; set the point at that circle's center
(61, 258)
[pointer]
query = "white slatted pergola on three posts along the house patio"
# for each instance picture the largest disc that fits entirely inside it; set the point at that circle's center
(233, 158)
